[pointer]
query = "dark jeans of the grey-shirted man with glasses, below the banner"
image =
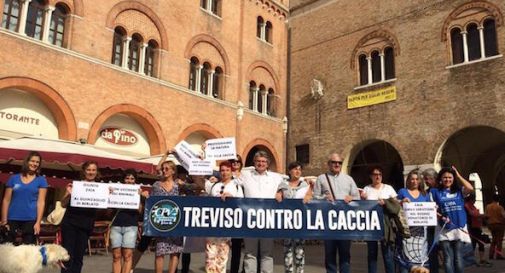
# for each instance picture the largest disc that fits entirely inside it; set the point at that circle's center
(344, 256)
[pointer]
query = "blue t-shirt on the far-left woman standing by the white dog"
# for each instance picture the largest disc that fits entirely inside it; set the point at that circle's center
(23, 206)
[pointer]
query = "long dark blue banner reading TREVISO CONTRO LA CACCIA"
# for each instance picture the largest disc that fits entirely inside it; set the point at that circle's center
(266, 218)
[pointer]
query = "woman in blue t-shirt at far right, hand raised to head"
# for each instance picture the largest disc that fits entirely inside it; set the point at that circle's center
(449, 198)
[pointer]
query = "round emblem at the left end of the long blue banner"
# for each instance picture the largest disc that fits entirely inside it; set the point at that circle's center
(164, 215)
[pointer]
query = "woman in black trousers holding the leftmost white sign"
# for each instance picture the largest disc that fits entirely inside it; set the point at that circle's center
(77, 224)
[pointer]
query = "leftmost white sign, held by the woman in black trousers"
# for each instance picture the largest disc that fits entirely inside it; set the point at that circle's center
(89, 195)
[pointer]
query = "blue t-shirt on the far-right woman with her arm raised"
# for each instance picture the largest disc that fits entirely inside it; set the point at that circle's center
(452, 205)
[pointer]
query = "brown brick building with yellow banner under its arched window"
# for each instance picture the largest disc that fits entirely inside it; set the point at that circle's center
(403, 84)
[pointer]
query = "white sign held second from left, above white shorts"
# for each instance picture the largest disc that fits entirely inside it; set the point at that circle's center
(124, 196)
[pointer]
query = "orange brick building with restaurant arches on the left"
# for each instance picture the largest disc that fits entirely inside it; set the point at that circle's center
(151, 73)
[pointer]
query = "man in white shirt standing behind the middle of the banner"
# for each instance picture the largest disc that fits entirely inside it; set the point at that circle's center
(259, 183)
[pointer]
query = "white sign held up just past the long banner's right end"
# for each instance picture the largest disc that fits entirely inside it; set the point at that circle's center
(420, 213)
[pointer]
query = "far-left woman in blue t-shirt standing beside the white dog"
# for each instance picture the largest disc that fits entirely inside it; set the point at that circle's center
(24, 200)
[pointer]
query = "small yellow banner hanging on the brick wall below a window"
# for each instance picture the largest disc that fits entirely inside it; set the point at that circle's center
(371, 98)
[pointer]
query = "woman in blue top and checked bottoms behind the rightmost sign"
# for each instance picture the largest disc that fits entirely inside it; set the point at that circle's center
(413, 251)
